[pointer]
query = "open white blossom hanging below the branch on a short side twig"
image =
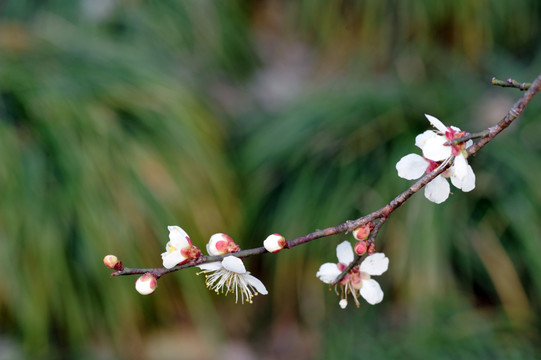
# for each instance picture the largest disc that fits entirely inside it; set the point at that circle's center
(358, 280)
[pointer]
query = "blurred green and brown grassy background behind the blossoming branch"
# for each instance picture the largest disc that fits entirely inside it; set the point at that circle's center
(120, 117)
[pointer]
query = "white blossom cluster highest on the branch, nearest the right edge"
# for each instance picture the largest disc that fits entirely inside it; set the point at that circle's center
(413, 166)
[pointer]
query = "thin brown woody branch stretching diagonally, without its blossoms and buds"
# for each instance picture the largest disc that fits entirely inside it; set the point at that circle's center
(383, 213)
